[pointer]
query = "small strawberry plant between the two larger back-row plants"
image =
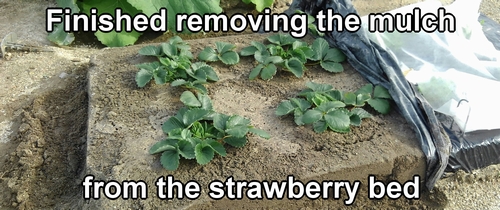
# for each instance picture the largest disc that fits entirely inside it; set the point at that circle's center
(223, 52)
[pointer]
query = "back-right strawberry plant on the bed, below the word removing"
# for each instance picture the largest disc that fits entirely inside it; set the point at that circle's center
(291, 55)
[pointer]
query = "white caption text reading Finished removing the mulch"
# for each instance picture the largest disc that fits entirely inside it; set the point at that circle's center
(297, 24)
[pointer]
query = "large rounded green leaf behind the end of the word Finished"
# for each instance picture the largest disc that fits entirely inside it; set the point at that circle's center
(113, 38)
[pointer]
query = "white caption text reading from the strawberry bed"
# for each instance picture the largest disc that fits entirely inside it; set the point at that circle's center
(168, 188)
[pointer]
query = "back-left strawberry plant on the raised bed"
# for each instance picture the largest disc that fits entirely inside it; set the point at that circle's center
(174, 66)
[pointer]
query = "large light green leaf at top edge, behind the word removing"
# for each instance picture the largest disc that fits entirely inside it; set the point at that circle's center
(200, 7)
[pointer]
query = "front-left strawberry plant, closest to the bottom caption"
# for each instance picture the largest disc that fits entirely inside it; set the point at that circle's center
(198, 132)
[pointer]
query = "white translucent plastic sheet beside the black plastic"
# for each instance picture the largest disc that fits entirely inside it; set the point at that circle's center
(450, 67)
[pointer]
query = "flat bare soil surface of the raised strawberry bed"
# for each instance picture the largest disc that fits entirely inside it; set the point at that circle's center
(127, 121)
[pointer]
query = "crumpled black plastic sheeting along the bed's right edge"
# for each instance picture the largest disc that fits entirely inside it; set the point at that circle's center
(444, 149)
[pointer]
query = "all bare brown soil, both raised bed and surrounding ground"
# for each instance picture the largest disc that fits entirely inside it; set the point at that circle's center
(44, 130)
